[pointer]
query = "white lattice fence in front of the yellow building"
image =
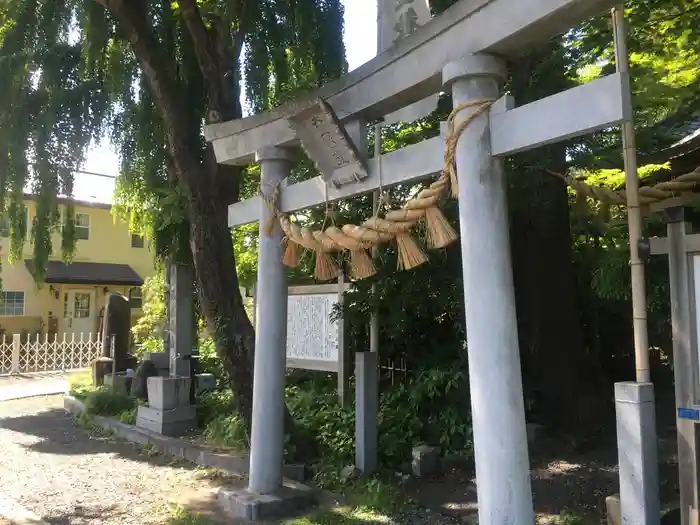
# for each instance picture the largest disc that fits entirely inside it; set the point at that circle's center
(42, 354)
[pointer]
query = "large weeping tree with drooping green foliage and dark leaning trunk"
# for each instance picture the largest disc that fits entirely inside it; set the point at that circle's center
(148, 75)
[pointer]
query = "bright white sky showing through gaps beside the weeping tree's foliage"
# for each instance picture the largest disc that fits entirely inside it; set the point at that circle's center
(360, 44)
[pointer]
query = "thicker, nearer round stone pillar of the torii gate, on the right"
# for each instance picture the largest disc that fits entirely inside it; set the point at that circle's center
(498, 411)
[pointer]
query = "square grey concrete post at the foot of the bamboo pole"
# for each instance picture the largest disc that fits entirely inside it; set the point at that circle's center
(637, 450)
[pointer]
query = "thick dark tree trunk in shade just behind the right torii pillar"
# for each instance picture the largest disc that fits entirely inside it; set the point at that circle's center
(563, 379)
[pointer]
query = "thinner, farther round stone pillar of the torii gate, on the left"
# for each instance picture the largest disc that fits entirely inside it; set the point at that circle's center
(267, 434)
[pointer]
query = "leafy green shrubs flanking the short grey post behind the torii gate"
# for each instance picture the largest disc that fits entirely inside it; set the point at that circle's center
(432, 408)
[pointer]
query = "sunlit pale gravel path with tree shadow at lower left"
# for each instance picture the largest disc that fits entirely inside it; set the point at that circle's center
(57, 470)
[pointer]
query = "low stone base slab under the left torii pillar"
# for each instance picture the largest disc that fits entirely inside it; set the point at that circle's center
(292, 499)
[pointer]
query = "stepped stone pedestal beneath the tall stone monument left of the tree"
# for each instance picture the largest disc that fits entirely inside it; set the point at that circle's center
(169, 412)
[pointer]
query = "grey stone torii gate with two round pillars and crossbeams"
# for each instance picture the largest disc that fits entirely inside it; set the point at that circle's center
(463, 50)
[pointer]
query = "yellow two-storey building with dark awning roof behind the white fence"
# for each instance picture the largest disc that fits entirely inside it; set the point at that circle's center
(108, 258)
